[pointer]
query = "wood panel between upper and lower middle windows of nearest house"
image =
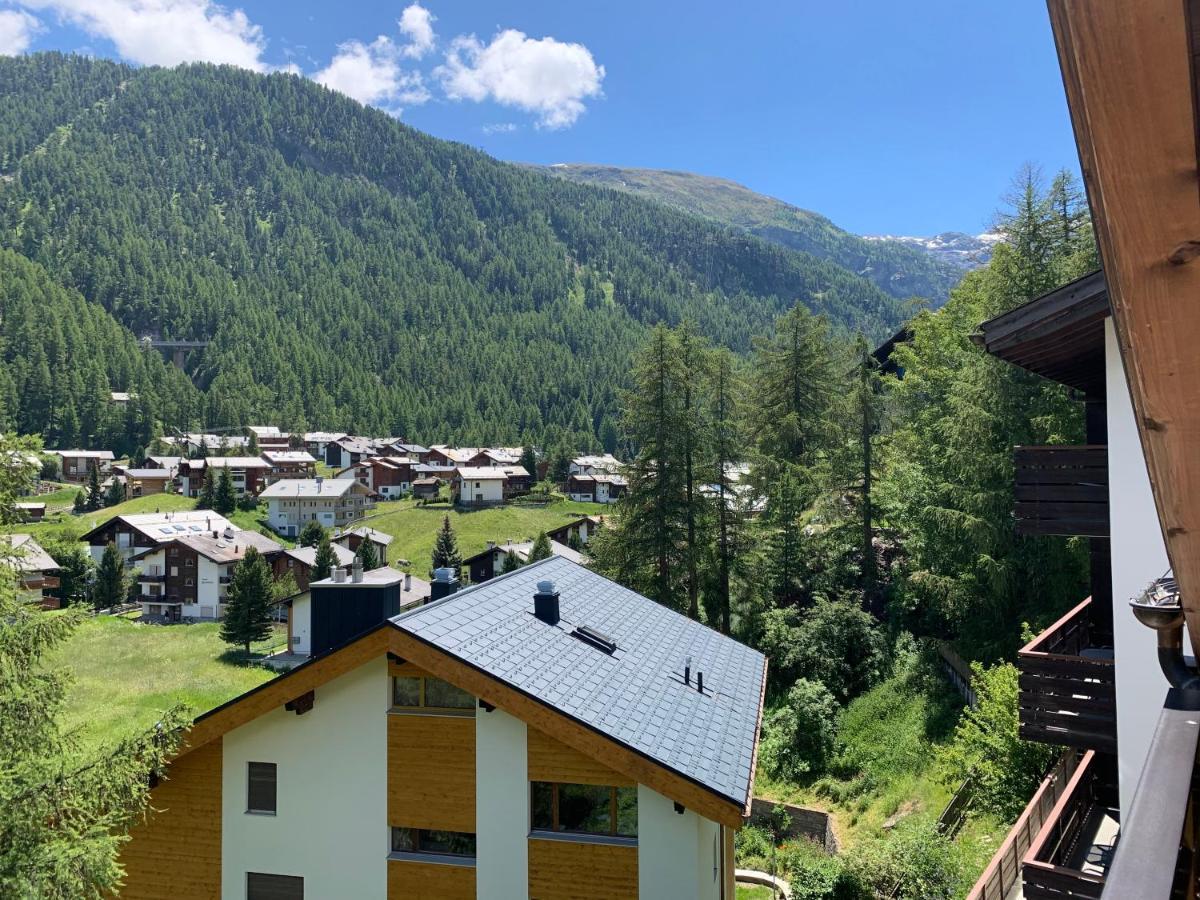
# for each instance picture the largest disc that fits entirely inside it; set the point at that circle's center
(431, 772)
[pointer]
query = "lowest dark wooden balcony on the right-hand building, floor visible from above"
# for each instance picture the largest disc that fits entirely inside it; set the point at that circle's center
(1070, 857)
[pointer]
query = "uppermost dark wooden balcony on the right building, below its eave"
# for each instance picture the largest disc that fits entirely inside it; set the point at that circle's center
(1063, 490)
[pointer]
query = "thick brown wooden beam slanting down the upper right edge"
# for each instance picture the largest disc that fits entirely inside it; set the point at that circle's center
(1127, 69)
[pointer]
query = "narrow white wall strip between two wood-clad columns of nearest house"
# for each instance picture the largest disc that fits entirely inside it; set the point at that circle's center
(502, 807)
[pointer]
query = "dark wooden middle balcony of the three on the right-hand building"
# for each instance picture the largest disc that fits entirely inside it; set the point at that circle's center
(1067, 686)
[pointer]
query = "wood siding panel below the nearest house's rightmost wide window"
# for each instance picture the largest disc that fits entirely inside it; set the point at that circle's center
(574, 871)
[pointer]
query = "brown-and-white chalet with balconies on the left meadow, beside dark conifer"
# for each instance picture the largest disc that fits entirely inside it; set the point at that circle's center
(188, 578)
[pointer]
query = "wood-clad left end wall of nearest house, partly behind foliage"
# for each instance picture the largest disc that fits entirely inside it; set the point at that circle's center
(177, 853)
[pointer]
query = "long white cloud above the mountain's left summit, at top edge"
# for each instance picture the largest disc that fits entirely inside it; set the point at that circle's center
(165, 33)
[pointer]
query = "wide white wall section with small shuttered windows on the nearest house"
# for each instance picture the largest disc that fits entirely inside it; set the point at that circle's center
(332, 827)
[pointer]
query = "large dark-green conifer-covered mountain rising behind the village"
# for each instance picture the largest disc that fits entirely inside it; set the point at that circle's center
(352, 273)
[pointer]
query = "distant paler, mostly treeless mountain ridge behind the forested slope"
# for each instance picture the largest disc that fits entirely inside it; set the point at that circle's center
(901, 269)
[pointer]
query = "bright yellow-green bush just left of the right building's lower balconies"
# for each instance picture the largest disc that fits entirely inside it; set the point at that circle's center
(987, 743)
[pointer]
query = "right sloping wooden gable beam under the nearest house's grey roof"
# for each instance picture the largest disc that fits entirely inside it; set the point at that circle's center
(569, 731)
